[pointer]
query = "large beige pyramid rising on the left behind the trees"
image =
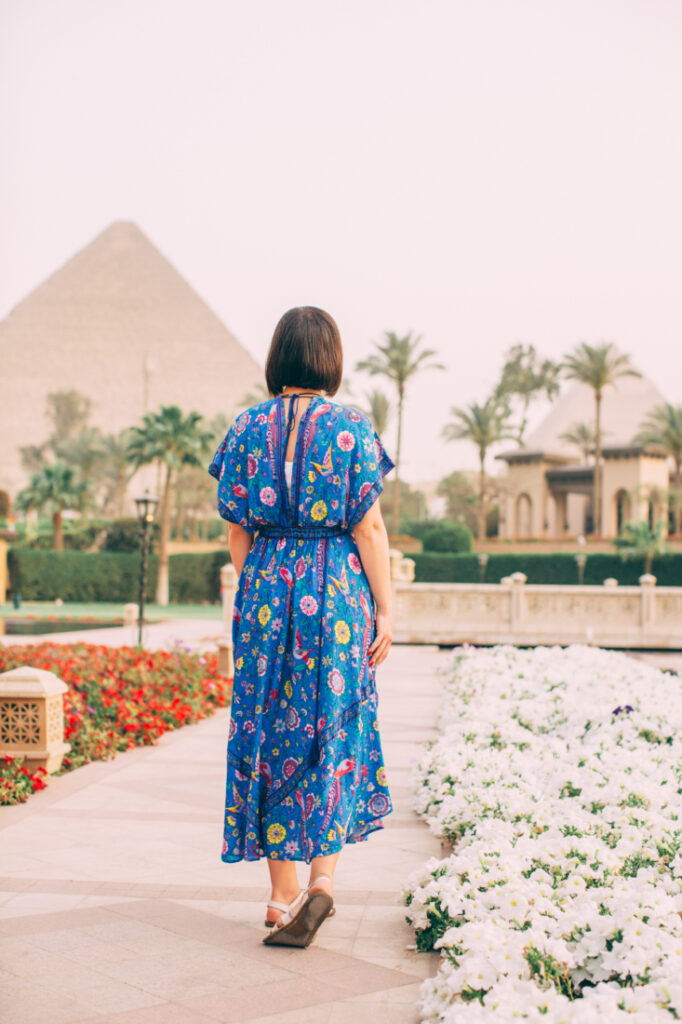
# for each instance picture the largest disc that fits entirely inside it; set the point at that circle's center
(119, 324)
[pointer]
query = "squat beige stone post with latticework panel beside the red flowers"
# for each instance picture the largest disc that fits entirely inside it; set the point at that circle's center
(32, 717)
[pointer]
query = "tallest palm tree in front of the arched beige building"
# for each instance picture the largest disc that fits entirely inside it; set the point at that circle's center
(599, 367)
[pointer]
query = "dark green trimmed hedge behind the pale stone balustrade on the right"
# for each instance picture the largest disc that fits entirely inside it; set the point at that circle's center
(549, 569)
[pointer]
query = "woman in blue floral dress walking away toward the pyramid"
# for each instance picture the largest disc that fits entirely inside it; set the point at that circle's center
(300, 477)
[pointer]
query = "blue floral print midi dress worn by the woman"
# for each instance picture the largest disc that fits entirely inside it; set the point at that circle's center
(306, 772)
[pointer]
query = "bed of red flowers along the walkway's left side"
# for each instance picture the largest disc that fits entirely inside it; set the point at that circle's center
(118, 698)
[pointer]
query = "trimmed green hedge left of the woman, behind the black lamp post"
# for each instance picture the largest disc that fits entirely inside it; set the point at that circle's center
(108, 576)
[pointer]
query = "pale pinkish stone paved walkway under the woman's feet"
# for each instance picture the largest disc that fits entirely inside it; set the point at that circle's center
(116, 909)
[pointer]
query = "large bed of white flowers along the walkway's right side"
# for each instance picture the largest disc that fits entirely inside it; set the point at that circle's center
(559, 779)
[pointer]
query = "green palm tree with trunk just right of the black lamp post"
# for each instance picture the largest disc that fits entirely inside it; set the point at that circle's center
(174, 440)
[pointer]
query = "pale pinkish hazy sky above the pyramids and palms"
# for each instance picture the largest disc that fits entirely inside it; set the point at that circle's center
(481, 174)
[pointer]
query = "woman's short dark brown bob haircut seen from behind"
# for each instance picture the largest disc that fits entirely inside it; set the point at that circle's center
(306, 352)
